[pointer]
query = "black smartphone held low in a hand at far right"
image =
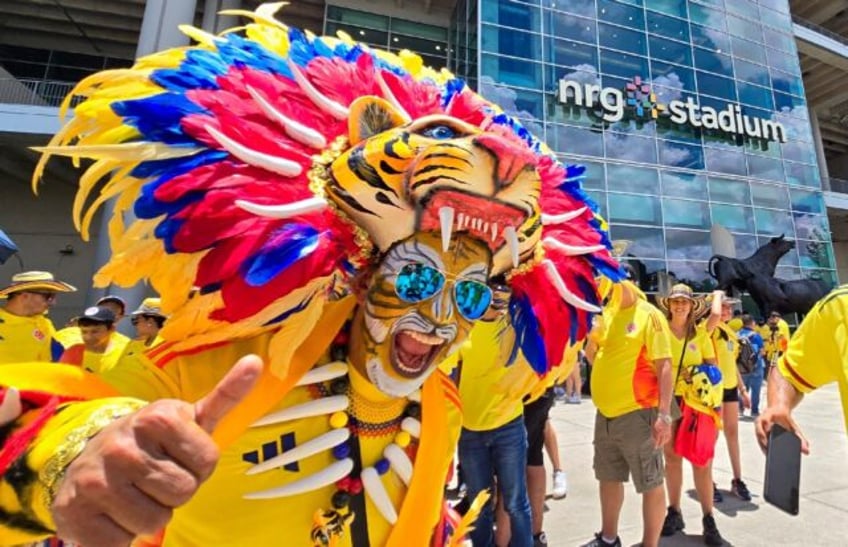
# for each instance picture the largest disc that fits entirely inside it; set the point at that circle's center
(783, 470)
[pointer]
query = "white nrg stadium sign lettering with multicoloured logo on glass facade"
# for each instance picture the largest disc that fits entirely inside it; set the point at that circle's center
(638, 98)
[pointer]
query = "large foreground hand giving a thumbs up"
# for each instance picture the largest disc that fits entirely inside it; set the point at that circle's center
(137, 470)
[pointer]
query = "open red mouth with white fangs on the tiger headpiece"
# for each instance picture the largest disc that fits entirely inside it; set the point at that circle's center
(487, 219)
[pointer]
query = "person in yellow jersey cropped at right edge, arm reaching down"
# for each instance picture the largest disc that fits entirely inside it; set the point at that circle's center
(817, 355)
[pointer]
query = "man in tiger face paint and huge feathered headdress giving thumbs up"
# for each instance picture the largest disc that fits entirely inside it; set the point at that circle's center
(303, 184)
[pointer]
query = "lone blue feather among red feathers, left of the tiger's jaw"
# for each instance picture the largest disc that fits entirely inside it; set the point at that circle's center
(290, 244)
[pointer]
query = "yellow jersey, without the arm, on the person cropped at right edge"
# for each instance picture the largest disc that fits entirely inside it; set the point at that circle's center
(818, 352)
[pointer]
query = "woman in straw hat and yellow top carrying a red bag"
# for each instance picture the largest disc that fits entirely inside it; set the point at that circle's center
(690, 346)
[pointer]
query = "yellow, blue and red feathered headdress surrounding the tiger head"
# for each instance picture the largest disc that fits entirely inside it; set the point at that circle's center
(216, 154)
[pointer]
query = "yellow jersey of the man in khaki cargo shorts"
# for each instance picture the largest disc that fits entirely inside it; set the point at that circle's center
(623, 375)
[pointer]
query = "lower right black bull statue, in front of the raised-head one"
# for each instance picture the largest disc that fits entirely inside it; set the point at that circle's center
(795, 296)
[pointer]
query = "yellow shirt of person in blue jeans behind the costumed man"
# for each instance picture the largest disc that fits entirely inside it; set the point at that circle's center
(478, 367)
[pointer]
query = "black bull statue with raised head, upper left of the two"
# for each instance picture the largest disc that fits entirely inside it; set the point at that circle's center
(732, 273)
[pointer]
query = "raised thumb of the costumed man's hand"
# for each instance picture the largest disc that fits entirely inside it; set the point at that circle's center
(228, 393)
